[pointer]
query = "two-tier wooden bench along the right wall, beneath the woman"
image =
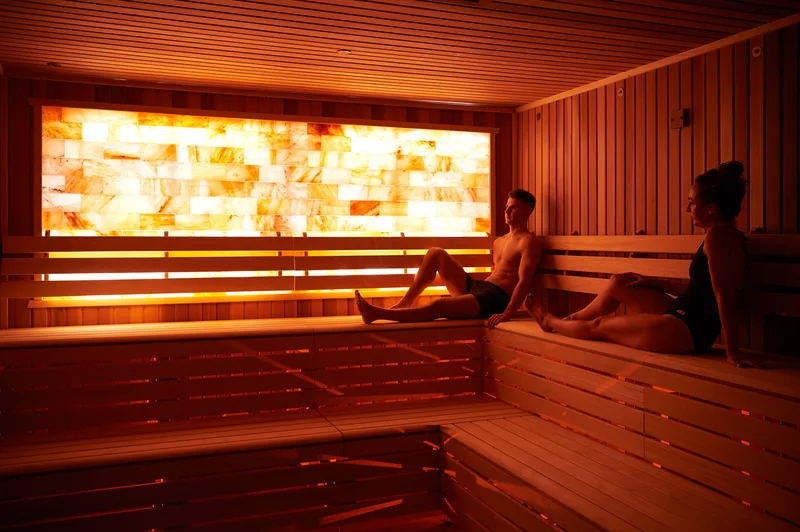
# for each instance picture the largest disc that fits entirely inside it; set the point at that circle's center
(621, 439)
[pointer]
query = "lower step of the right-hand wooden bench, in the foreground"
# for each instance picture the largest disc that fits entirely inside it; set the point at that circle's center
(577, 483)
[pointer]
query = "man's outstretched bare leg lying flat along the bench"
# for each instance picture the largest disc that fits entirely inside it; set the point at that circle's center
(457, 307)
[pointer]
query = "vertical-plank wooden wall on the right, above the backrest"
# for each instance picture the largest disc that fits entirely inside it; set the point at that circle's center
(743, 104)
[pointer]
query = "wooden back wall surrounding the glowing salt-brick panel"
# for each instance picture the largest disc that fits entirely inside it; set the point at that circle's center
(21, 144)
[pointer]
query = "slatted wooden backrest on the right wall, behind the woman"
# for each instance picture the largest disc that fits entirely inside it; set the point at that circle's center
(572, 263)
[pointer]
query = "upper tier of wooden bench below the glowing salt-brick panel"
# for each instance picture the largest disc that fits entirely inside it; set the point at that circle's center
(77, 378)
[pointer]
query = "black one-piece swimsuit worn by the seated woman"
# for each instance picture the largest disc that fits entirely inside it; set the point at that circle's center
(697, 308)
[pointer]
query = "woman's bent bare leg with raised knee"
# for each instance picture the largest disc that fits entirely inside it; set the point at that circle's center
(639, 299)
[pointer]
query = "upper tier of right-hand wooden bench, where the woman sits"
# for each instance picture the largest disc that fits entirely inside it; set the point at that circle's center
(735, 431)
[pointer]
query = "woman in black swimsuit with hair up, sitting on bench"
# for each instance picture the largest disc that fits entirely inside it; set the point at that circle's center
(691, 322)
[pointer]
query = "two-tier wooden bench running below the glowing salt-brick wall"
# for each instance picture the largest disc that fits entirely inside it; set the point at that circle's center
(312, 423)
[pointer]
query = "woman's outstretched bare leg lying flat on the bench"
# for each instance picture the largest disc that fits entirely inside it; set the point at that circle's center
(661, 333)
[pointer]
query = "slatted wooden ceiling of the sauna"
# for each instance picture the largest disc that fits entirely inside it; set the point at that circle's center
(470, 51)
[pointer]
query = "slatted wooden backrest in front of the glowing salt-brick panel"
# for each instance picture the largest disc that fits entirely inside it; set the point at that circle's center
(167, 265)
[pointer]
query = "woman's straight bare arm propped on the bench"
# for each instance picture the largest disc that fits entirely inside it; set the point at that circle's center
(725, 253)
